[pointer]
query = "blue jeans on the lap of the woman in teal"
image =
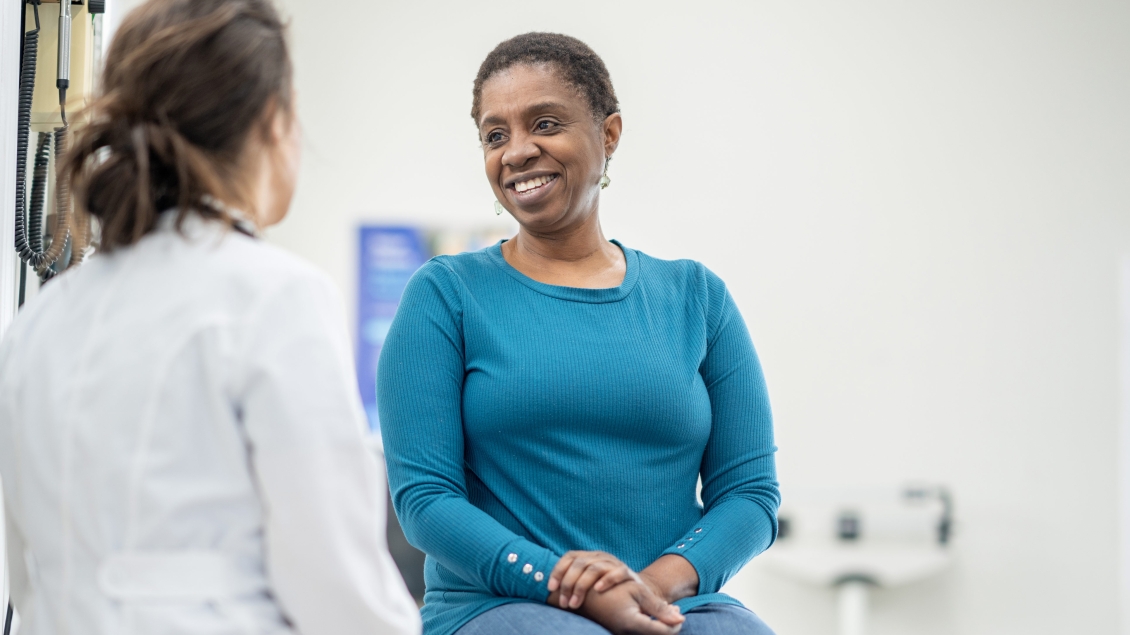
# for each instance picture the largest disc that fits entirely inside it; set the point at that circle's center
(528, 619)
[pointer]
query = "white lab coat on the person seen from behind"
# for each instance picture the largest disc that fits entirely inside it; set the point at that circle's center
(181, 442)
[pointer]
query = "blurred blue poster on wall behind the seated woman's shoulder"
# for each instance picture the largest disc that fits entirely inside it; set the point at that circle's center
(389, 257)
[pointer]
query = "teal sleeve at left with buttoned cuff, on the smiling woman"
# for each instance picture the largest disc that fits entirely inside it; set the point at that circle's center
(420, 399)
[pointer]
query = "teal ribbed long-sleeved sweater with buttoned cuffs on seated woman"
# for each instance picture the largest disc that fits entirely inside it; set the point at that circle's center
(523, 420)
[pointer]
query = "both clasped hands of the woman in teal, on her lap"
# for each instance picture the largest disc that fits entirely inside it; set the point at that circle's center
(599, 587)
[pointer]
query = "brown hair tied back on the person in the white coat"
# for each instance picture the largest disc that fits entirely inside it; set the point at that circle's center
(186, 83)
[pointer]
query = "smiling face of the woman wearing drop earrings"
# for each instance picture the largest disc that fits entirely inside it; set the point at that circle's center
(544, 152)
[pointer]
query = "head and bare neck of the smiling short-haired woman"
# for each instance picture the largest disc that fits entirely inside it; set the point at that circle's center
(550, 124)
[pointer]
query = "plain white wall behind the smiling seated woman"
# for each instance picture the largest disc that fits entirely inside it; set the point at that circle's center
(918, 206)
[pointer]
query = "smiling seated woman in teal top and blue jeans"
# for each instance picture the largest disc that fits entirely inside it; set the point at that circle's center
(550, 404)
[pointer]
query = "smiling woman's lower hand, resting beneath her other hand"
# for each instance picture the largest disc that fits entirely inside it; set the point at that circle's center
(630, 608)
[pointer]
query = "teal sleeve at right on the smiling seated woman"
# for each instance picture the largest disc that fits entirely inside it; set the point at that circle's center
(741, 493)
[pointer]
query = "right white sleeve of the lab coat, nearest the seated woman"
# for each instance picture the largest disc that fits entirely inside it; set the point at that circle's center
(323, 491)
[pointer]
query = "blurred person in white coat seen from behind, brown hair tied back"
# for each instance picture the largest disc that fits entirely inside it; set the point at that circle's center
(181, 439)
